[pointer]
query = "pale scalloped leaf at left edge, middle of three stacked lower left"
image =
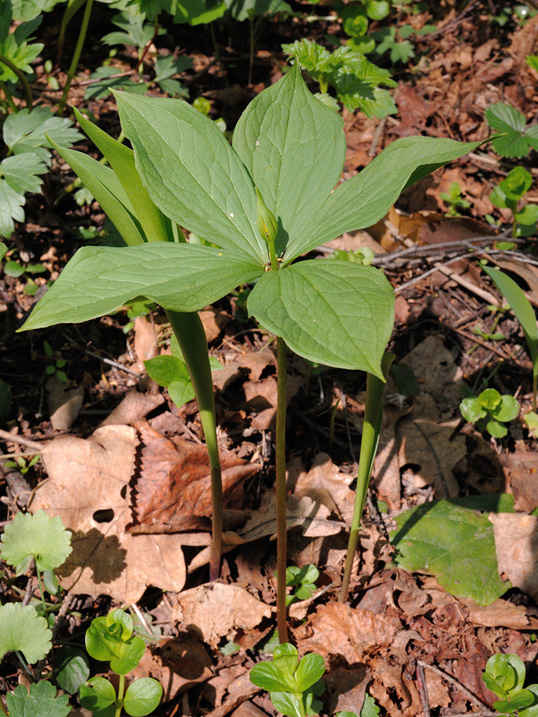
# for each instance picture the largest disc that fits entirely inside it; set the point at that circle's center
(22, 629)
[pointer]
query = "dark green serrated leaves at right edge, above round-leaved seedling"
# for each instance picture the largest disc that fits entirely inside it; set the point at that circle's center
(517, 138)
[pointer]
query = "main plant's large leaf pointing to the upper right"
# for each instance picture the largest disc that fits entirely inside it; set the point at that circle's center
(365, 198)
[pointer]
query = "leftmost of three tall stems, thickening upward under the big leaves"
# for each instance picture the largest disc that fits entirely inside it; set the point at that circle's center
(190, 334)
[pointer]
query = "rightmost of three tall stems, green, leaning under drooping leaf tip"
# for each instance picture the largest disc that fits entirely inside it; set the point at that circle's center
(373, 413)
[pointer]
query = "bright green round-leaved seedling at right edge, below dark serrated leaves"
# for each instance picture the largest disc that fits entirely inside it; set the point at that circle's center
(508, 194)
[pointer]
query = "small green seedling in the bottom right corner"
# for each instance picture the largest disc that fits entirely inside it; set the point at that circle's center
(505, 676)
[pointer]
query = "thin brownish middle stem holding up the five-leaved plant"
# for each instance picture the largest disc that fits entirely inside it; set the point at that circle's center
(281, 525)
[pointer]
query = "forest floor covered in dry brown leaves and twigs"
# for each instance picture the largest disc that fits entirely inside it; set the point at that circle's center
(402, 636)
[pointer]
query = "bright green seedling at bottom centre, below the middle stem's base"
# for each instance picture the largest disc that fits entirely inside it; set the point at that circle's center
(292, 685)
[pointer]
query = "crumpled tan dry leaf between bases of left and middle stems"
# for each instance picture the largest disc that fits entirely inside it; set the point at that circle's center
(216, 610)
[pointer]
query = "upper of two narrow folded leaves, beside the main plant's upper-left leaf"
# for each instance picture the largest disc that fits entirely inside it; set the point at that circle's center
(155, 225)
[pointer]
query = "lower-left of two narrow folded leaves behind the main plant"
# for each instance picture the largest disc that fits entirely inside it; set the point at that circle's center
(107, 189)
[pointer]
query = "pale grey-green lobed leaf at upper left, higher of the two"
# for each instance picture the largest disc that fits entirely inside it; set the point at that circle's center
(25, 131)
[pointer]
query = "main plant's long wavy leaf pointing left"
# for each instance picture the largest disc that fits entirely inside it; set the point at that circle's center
(180, 277)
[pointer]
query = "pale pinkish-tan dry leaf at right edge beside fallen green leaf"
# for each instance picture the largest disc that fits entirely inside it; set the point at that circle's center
(516, 544)
